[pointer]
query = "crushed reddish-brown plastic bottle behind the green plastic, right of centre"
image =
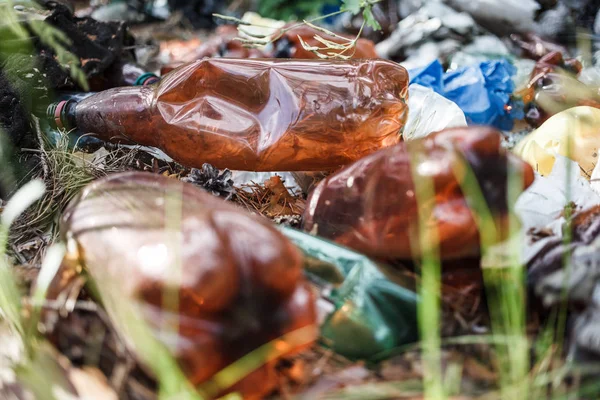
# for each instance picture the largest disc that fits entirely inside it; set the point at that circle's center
(371, 206)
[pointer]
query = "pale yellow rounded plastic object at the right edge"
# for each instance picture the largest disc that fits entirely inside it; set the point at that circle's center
(574, 133)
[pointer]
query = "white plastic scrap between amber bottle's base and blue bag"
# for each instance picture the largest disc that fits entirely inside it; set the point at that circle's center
(429, 112)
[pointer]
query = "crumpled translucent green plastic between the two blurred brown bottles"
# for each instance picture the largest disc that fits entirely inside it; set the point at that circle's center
(375, 307)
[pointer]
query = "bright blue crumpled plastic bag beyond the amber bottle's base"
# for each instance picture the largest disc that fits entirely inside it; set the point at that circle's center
(483, 91)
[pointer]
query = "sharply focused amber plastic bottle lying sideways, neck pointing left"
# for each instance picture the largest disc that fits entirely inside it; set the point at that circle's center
(255, 114)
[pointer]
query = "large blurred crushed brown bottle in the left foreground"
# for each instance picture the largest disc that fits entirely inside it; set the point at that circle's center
(231, 280)
